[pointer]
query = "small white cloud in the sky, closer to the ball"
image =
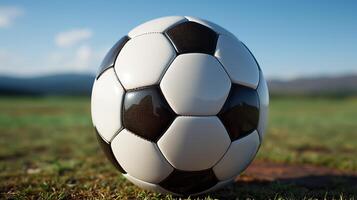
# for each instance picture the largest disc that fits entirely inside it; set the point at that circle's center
(72, 37)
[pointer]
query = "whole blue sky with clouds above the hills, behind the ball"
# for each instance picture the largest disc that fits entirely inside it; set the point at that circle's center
(288, 38)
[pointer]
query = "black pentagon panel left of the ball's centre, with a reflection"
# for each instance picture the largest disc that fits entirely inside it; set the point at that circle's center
(146, 113)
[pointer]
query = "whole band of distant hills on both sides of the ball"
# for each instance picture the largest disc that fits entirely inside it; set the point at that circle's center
(81, 84)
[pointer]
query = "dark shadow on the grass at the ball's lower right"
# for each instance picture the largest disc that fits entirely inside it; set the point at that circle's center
(323, 186)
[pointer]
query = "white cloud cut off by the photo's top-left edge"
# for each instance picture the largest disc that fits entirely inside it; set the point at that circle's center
(8, 14)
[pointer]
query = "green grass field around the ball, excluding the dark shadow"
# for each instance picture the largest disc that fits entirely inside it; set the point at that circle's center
(48, 150)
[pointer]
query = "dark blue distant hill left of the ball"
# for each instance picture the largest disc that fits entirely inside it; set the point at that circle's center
(61, 84)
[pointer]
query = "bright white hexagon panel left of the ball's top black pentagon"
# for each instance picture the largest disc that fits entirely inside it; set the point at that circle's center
(143, 60)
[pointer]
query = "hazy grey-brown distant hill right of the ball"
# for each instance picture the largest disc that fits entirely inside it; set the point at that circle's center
(340, 85)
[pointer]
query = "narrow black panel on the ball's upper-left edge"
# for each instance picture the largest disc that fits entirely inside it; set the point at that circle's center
(110, 57)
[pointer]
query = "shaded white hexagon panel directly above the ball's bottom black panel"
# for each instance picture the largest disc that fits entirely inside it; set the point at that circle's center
(188, 142)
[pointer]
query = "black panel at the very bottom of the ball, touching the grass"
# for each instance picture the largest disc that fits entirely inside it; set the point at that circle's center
(189, 182)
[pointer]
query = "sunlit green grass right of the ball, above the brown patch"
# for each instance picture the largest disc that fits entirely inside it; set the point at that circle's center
(315, 131)
